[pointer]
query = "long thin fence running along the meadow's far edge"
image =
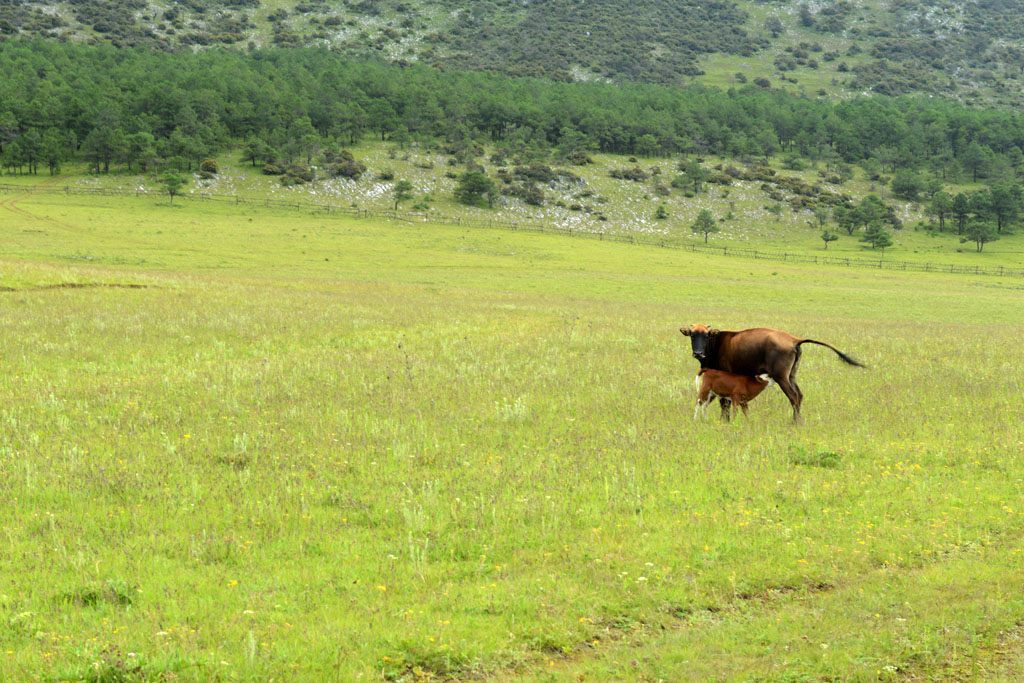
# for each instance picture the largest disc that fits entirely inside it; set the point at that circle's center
(415, 218)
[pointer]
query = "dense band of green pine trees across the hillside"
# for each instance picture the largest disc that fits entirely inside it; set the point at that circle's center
(129, 108)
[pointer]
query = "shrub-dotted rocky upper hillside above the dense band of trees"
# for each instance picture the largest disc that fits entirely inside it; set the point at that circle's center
(973, 52)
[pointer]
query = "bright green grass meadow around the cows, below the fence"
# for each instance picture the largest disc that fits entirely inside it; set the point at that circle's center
(255, 445)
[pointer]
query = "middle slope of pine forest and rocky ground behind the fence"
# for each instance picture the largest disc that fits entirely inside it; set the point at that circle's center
(600, 157)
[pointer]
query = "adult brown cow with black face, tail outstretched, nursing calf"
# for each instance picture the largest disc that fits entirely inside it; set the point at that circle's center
(756, 352)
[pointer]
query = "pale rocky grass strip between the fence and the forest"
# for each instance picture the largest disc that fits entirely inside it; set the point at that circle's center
(628, 207)
